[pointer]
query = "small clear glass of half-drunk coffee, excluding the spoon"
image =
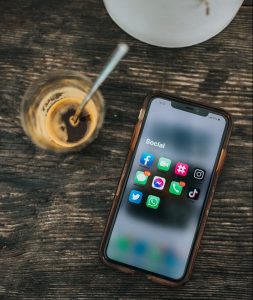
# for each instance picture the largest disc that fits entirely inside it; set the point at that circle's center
(48, 106)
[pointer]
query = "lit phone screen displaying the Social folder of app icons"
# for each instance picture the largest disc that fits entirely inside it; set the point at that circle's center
(165, 191)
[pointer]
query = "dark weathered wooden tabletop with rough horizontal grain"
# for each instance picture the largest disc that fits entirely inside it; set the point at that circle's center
(53, 208)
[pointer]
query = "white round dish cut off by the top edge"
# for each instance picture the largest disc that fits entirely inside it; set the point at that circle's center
(172, 23)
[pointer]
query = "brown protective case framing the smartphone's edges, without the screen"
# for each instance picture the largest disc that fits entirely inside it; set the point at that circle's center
(218, 167)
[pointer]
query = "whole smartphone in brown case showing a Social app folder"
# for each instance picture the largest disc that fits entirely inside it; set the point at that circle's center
(166, 188)
